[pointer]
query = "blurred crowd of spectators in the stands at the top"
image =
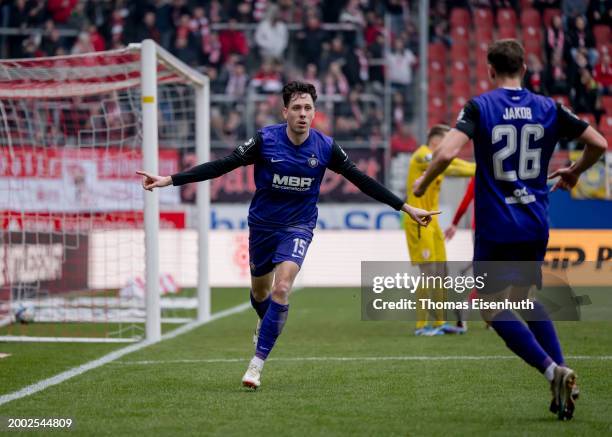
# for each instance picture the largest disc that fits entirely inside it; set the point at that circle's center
(249, 48)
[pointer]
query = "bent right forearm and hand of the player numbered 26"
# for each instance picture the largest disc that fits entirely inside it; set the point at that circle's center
(595, 146)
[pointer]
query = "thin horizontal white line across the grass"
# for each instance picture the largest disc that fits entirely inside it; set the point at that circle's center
(399, 358)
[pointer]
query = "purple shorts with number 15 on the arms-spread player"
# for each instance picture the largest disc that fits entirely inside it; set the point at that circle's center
(268, 247)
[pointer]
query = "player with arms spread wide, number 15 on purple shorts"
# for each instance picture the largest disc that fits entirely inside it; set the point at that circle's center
(290, 160)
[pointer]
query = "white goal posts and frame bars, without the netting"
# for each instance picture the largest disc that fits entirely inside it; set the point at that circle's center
(152, 55)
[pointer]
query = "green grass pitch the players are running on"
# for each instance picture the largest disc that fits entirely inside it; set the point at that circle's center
(500, 396)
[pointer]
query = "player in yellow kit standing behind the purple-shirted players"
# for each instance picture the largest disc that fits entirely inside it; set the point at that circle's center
(426, 245)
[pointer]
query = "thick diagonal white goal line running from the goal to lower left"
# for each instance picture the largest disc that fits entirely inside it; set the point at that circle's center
(75, 371)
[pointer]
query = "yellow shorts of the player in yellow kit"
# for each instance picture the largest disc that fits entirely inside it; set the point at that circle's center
(425, 244)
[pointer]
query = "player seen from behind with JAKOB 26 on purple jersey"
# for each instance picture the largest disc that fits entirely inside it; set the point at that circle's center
(515, 133)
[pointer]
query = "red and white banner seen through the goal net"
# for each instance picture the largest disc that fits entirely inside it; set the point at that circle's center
(78, 180)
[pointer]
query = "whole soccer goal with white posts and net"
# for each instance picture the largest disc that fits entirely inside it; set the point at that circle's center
(85, 253)
